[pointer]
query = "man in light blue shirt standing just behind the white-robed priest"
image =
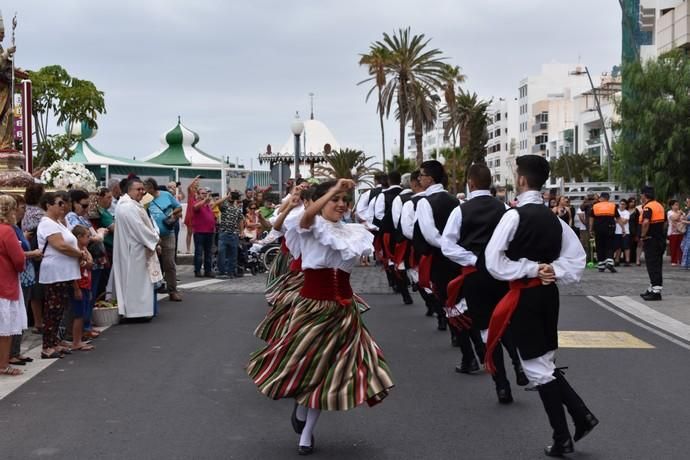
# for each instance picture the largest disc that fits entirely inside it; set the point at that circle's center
(166, 211)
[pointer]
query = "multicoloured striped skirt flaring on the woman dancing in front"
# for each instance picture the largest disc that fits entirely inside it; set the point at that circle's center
(326, 359)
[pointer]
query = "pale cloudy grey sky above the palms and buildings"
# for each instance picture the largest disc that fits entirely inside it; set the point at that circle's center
(236, 71)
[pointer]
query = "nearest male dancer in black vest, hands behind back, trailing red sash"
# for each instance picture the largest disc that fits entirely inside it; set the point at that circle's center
(532, 249)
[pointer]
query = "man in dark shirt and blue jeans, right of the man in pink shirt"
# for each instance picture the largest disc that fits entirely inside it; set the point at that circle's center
(229, 231)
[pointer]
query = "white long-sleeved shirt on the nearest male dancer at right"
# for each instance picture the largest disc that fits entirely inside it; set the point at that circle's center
(568, 267)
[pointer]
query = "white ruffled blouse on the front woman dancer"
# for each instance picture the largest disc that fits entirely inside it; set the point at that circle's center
(329, 244)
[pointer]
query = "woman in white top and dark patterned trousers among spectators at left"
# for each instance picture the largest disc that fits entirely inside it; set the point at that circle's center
(59, 267)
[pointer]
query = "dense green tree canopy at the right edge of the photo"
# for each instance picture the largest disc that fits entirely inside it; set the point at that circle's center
(654, 139)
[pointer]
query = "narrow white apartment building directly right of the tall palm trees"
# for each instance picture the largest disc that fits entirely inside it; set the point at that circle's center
(501, 147)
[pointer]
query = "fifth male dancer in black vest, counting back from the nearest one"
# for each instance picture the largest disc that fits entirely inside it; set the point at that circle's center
(383, 219)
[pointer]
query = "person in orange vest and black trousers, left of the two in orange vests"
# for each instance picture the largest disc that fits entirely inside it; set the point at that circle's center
(602, 222)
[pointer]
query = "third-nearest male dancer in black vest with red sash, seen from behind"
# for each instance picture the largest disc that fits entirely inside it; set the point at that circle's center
(432, 214)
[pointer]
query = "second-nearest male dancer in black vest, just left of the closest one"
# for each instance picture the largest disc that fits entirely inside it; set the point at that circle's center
(465, 237)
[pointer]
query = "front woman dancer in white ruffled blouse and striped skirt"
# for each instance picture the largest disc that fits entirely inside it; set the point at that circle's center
(327, 360)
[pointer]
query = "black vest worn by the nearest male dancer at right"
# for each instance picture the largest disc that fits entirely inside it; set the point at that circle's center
(538, 236)
